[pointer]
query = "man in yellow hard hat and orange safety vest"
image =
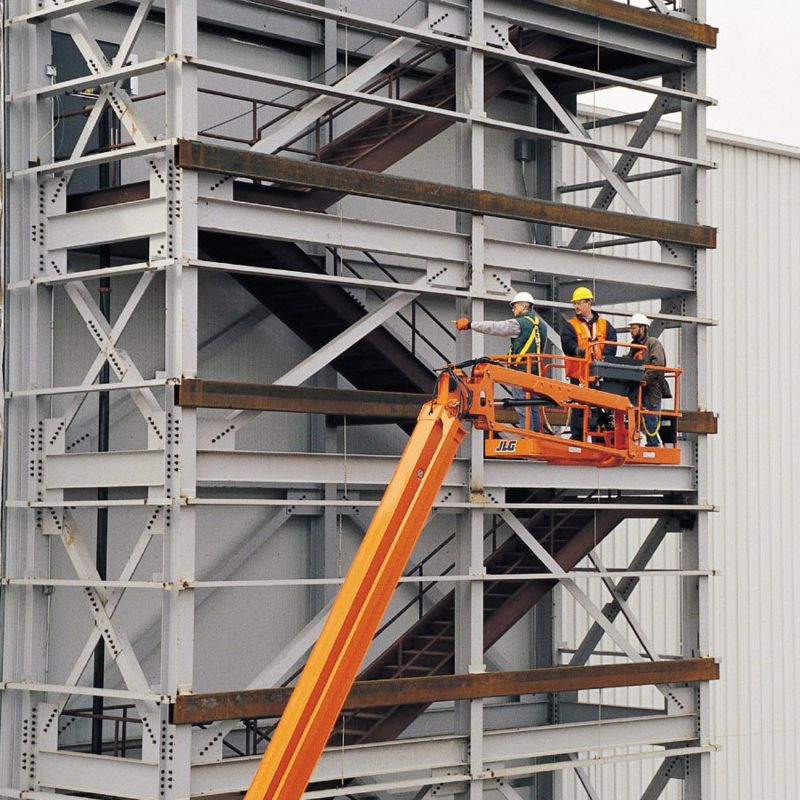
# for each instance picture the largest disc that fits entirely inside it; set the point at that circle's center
(578, 336)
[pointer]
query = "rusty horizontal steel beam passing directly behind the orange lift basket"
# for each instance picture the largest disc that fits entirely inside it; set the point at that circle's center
(357, 405)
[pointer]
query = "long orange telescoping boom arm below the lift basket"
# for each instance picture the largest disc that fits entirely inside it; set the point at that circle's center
(363, 598)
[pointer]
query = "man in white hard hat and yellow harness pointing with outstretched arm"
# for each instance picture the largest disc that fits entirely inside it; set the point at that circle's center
(528, 336)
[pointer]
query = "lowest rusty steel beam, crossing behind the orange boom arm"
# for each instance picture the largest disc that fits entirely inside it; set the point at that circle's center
(265, 703)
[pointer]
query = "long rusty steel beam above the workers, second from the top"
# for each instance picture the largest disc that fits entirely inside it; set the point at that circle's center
(245, 163)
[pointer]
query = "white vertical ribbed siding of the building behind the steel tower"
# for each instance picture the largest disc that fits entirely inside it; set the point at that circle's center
(754, 201)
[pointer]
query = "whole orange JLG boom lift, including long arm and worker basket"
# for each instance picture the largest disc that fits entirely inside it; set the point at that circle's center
(463, 393)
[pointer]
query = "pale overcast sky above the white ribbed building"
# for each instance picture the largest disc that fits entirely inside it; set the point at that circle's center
(749, 73)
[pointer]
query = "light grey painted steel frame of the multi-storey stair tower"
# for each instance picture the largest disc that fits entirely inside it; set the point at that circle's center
(51, 459)
